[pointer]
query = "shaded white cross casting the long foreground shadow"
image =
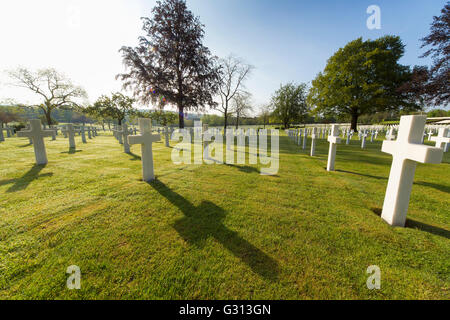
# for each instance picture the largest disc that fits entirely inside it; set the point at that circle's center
(145, 139)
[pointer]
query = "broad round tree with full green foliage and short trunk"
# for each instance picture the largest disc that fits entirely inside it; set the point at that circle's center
(361, 78)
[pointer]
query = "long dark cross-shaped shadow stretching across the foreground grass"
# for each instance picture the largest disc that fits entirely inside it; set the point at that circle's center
(205, 221)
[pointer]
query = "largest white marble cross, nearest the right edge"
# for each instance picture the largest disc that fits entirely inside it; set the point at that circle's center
(407, 150)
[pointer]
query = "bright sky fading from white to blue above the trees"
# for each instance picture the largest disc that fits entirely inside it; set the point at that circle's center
(286, 40)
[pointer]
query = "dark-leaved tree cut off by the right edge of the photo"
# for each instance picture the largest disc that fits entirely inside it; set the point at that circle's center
(436, 82)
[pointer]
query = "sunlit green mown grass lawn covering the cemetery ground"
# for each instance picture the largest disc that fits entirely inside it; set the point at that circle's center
(216, 231)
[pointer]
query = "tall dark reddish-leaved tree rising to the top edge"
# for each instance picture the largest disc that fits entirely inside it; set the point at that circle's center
(170, 63)
